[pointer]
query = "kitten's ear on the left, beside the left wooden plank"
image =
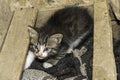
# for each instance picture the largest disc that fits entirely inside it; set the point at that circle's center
(33, 35)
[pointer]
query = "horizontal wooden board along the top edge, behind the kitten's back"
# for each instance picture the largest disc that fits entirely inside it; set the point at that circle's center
(46, 5)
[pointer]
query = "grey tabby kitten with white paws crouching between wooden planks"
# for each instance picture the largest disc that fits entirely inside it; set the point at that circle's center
(63, 31)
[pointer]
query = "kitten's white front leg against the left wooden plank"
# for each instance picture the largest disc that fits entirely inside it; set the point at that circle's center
(29, 59)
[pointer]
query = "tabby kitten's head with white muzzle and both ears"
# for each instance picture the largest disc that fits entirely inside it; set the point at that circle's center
(43, 45)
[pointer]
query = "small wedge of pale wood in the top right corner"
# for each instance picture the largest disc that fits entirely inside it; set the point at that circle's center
(116, 7)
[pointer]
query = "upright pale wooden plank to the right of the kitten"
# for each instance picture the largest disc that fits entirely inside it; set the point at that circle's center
(103, 58)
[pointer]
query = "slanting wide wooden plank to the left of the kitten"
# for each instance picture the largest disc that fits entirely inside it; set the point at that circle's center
(13, 53)
